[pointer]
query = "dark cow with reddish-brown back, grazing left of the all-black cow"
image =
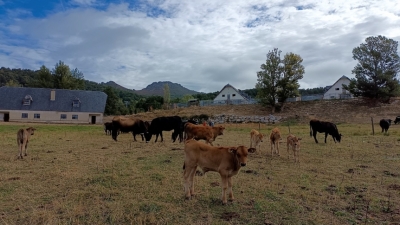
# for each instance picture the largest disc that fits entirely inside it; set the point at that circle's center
(126, 125)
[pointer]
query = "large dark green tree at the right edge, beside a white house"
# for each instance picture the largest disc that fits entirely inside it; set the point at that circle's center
(376, 70)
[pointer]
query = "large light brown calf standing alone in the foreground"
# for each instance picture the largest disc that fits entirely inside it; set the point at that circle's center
(227, 161)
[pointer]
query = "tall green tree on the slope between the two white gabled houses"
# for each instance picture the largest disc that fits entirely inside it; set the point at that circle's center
(279, 78)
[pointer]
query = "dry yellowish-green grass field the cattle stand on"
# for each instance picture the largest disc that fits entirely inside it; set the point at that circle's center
(75, 174)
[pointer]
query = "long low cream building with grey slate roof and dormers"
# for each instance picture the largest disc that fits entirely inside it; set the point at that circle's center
(51, 105)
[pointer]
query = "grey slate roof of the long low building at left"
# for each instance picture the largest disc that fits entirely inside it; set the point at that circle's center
(11, 98)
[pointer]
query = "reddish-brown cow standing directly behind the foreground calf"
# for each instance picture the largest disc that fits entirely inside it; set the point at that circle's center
(200, 132)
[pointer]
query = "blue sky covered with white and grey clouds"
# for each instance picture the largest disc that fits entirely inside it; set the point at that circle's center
(201, 44)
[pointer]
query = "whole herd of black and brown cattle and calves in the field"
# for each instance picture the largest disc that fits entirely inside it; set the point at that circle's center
(227, 161)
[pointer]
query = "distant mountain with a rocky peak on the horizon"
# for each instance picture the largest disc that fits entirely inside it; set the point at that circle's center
(157, 88)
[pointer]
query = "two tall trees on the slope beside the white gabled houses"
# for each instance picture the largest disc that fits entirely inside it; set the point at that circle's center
(375, 73)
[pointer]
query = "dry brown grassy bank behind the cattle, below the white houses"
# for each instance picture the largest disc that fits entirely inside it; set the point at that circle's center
(337, 111)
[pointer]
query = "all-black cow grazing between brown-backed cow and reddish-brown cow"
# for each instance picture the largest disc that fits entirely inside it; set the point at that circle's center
(165, 123)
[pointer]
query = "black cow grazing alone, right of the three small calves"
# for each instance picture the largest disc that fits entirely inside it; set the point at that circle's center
(324, 127)
